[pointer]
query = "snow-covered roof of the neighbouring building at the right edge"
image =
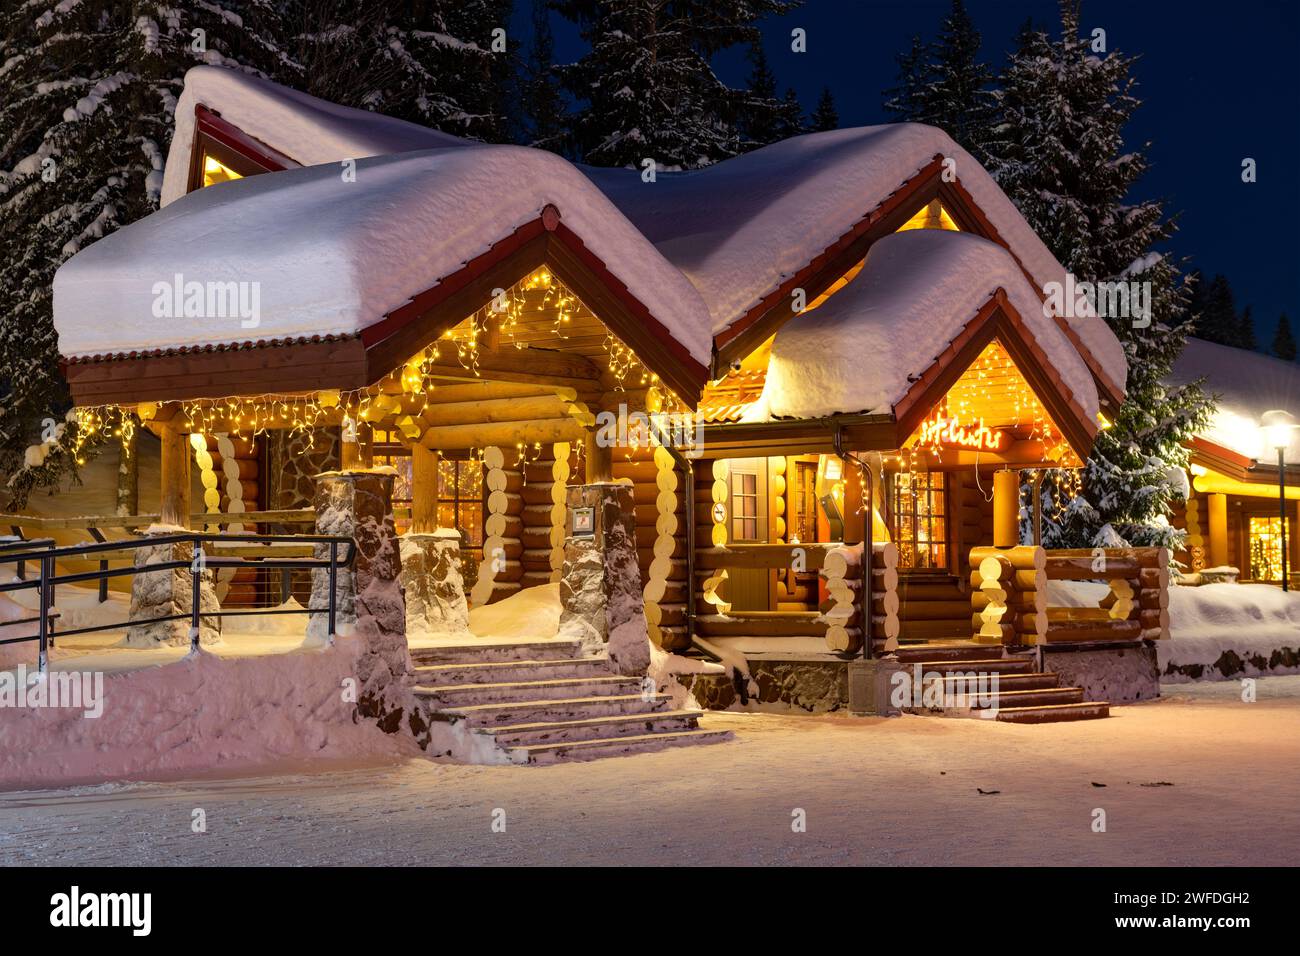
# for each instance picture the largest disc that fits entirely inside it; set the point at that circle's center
(1247, 386)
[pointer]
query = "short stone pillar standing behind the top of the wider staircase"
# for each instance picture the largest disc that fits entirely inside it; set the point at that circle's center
(432, 583)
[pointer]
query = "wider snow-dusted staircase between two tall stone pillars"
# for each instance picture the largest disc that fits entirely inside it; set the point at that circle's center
(540, 703)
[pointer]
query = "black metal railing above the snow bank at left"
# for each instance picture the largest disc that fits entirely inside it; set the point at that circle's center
(44, 553)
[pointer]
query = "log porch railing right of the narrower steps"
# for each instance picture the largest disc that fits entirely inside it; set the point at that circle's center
(1009, 600)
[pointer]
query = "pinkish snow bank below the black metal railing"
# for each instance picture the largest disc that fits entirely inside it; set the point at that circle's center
(197, 716)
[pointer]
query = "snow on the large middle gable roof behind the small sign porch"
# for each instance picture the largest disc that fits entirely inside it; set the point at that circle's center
(740, 228)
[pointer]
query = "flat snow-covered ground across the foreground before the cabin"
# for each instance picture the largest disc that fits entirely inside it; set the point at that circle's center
(1195, 778)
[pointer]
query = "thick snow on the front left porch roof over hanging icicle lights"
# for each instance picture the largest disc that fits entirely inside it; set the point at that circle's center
(332, 257)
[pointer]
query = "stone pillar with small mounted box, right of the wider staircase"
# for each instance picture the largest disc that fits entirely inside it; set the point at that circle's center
(601, 603)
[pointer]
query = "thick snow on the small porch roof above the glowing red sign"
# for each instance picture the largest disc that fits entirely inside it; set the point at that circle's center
(916, 293)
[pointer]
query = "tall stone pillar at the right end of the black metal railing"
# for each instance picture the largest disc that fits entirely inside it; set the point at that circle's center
(359, 505)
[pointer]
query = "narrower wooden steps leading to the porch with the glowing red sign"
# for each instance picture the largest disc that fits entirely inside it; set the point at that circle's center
(1024, 695)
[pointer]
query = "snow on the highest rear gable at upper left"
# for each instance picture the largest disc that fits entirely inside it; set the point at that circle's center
(307, 129)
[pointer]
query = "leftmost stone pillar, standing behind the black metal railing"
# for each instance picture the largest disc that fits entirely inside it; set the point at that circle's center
(162, 594)
